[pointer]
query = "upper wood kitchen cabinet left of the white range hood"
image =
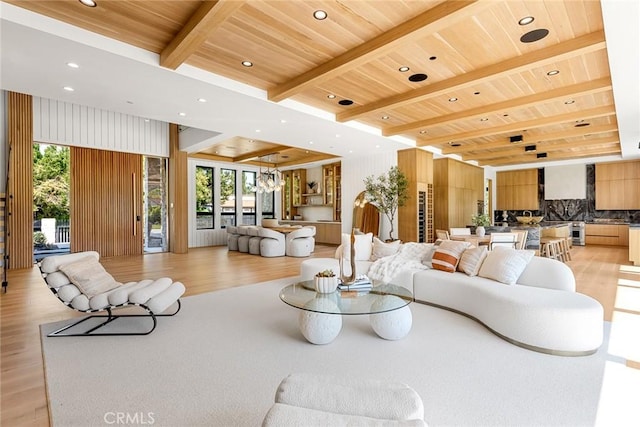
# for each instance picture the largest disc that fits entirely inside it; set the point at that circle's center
(517, 190)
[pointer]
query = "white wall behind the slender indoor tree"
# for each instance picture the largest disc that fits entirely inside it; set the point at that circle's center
(354, 171)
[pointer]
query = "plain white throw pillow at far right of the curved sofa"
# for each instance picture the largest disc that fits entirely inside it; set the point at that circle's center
(505, 265)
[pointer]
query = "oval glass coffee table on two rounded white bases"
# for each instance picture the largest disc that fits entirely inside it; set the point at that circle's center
(320, 316)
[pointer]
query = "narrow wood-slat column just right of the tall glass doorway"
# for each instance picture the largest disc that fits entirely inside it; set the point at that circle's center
(178, 195)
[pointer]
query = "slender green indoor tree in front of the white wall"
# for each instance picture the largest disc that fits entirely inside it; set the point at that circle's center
(387, 192)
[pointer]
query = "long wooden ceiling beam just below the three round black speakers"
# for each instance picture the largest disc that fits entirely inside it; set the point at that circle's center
(568, 49)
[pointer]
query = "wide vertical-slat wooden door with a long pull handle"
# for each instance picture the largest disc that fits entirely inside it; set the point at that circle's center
(106, 198)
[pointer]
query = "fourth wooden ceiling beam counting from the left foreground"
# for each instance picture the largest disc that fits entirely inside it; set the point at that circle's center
(576, 90)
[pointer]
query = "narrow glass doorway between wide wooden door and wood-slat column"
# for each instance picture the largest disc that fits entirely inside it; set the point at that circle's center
(155, 205)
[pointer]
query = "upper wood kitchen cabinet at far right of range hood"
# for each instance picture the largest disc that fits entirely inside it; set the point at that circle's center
(617, 185)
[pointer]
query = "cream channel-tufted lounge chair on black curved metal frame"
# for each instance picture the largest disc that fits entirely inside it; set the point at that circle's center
(82, 284)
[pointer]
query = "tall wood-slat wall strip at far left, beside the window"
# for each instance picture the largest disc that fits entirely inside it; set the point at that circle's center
(20, 188)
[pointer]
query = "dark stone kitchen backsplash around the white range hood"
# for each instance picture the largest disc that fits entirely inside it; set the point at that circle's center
(572, 209)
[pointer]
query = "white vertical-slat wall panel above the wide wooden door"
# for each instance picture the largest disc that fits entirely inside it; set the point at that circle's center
(59, 122)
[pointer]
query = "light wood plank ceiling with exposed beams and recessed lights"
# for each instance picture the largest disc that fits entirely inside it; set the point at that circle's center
(487, 96)
